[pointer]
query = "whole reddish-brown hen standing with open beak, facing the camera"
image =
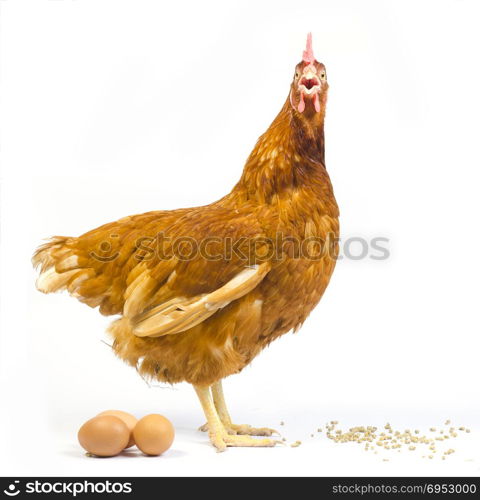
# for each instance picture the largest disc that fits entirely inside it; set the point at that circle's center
(201, 291)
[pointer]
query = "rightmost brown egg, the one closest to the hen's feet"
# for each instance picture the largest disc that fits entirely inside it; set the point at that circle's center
(154, 434)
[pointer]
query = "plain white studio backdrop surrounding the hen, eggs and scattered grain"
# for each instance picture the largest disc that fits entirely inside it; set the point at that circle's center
(111, 108)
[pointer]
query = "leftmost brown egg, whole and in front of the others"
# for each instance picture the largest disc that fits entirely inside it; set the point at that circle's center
(104, 435)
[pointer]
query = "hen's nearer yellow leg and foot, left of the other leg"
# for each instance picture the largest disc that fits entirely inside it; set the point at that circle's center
(217, 432)
